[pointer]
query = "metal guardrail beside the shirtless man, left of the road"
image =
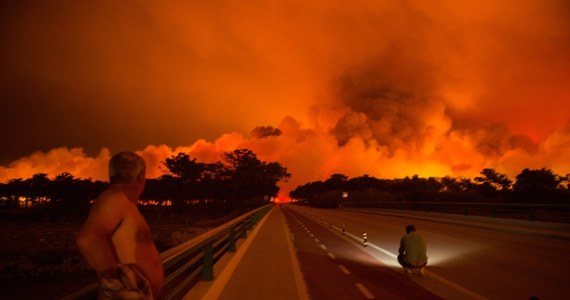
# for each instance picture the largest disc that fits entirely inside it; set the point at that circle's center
(193, 260)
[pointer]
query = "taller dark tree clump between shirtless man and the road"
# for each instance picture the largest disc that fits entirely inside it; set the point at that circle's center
(240, 177)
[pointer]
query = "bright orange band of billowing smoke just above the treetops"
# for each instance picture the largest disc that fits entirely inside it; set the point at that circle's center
(311, 154)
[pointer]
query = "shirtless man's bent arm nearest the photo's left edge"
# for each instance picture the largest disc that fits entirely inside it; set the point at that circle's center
(94, 238)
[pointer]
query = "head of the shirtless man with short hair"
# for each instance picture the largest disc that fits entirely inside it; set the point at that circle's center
(126, 167)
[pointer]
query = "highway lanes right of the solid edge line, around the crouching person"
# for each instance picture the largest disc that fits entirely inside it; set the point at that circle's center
(466, 261)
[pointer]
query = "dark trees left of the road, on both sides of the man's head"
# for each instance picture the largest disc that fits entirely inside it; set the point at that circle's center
(239, 178)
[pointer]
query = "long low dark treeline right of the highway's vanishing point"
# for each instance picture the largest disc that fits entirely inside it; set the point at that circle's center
(541, 186)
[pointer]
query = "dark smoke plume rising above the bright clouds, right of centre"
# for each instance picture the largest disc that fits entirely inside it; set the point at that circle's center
(393, 104)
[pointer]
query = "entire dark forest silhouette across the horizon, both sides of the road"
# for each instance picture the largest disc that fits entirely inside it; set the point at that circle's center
(240, 180)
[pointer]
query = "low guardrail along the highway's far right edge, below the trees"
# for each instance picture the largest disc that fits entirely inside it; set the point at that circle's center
(557, 213)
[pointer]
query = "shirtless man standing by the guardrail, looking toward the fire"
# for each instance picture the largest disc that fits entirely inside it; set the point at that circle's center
(115, 239)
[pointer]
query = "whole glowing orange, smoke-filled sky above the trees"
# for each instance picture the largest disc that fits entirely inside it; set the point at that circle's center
(385, 88)
